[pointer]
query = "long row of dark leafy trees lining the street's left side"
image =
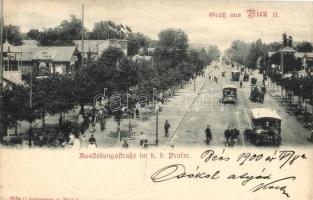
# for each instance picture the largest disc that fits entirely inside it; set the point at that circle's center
(172, 64)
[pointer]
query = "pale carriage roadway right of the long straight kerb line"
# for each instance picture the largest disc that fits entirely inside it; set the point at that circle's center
(206, 110)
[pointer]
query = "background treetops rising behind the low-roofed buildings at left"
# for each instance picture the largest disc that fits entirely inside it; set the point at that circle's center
(69, 30)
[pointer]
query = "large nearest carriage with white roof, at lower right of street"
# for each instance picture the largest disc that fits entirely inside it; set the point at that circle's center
(266, 127)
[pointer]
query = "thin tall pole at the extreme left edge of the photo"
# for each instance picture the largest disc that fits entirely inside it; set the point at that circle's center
(1, 75)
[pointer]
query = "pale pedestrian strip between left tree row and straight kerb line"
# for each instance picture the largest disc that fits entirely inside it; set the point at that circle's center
(173, 110)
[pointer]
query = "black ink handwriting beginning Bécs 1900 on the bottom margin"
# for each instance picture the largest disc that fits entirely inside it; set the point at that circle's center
(263, 180)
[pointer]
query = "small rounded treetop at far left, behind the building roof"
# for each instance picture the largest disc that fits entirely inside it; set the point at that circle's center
(13, 34)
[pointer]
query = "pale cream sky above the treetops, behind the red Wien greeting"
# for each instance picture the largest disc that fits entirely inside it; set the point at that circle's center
(193, 17)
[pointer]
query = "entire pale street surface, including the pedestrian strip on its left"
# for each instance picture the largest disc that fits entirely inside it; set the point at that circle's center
(197, 105)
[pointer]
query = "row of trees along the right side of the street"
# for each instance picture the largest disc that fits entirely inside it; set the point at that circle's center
(256, 55)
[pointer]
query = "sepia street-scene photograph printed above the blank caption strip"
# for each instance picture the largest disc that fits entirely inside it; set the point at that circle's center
(90, 76)
